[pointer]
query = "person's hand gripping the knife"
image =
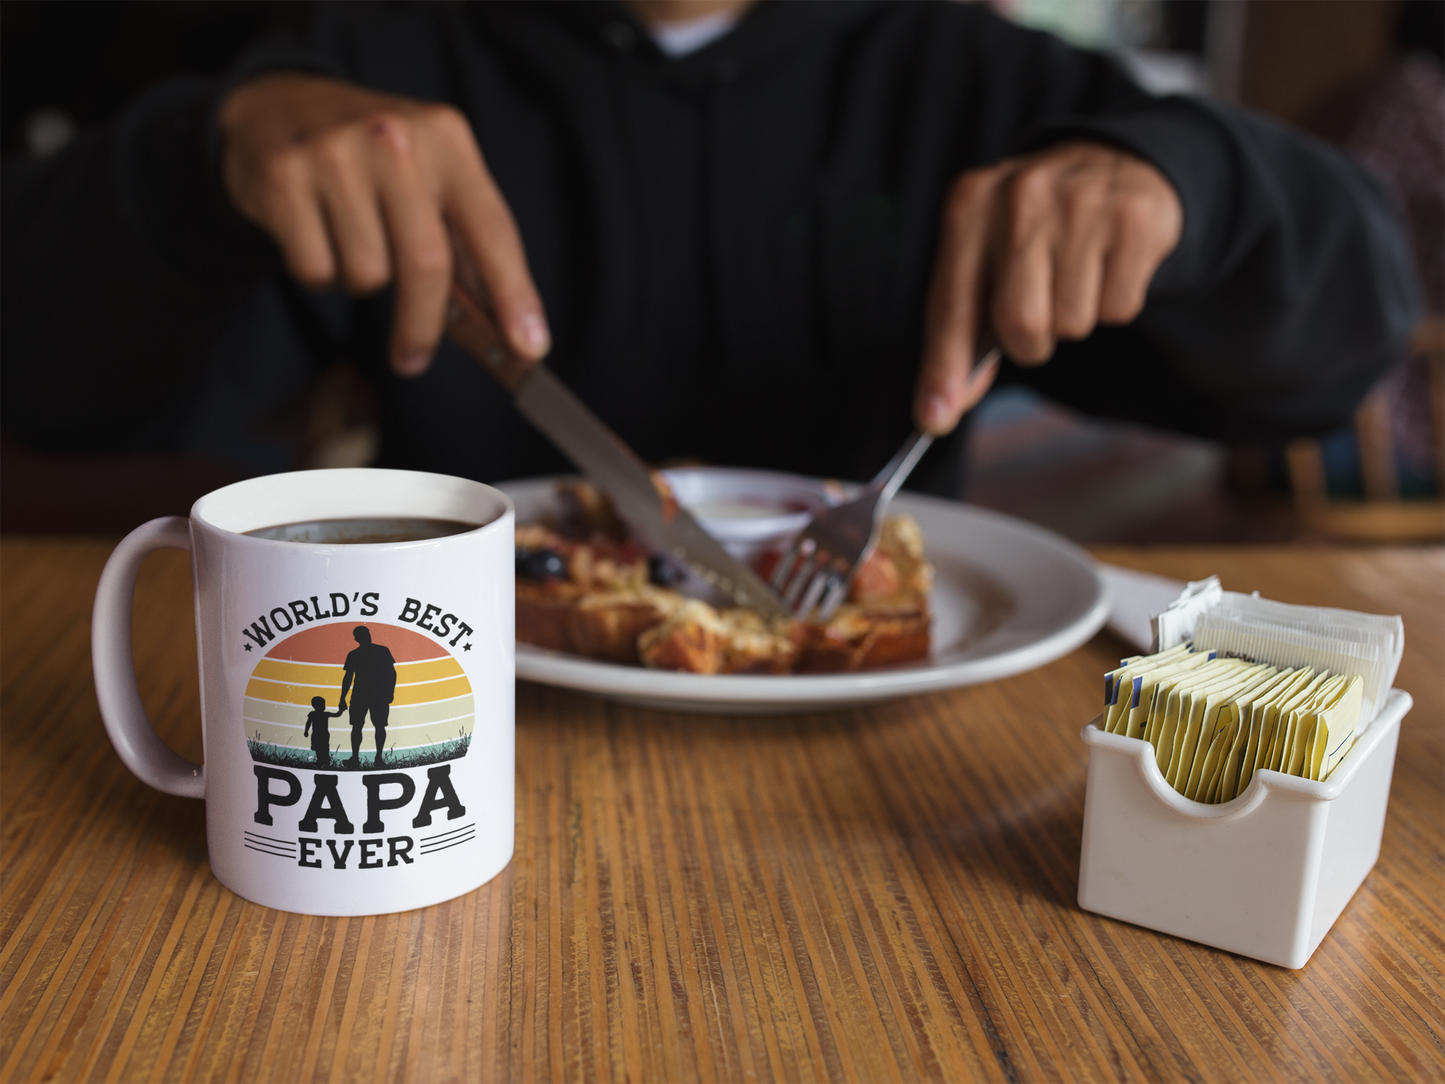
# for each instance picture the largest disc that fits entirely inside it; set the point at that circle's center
(372, 190)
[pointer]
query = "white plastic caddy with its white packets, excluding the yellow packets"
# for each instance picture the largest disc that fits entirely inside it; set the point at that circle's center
(1268, 874)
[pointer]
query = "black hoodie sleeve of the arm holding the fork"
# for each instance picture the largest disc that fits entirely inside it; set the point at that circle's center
(1293, 288)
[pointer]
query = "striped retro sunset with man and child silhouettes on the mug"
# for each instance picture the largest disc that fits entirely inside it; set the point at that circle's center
(358, 697)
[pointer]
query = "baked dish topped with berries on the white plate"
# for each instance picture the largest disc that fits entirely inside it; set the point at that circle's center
(586, 588)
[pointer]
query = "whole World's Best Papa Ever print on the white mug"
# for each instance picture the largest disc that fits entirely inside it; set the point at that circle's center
(356, 697)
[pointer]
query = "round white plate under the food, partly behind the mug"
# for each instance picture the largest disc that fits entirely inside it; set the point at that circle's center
(1008, 598)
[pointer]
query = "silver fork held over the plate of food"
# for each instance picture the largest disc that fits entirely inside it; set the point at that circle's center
(814, 576)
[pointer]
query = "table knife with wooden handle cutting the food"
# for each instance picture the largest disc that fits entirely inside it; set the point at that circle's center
(603, 456)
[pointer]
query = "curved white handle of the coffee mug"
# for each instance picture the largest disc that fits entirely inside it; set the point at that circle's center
(131, 732)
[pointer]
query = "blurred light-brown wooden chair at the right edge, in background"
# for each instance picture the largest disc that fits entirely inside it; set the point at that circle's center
(1382, 515)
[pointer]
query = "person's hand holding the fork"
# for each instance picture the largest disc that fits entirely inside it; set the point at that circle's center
(1038, 249)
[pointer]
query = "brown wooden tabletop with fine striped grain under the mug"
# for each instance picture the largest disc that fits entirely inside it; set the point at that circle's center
(871, 895)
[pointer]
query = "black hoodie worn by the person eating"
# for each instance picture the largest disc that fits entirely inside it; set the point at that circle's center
(733, 248)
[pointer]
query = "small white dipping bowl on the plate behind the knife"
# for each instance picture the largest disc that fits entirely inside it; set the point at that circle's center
(751, 511)
